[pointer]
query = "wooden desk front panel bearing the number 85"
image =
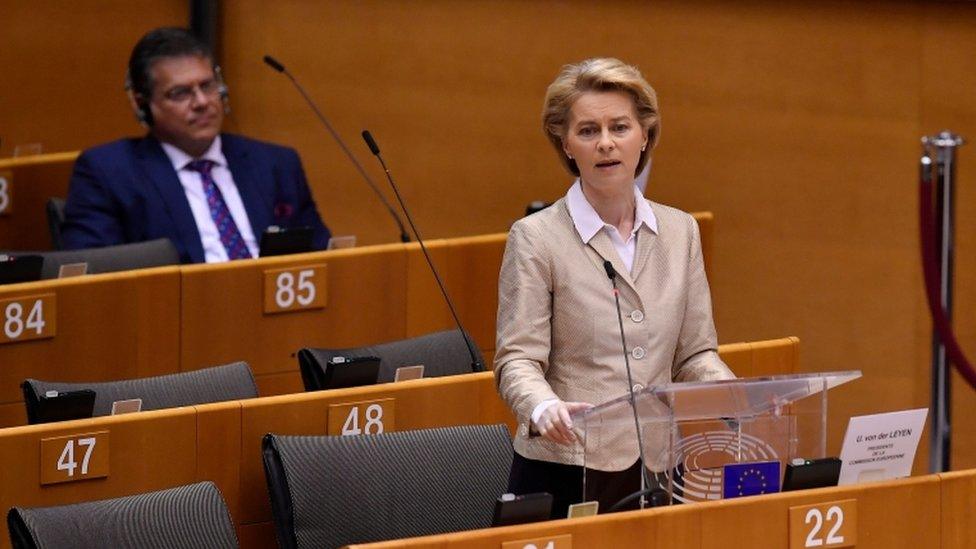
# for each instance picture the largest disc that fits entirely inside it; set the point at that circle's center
(224, 316)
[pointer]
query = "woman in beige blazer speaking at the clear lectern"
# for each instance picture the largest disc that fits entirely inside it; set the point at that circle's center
(559, 347)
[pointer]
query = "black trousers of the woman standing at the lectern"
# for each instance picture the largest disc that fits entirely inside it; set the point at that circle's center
(565, 483)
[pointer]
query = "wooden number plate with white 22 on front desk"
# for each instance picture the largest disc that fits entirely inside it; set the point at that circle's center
(826, 525)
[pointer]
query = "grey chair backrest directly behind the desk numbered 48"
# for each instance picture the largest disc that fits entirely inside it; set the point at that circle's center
(442, 354)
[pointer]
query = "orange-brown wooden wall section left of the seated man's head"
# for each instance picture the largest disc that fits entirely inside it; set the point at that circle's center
(64, 65)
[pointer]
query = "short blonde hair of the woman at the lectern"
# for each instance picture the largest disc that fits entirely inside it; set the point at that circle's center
(598, 74)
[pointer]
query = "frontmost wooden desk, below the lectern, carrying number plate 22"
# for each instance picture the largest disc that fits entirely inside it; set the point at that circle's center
(900, 513)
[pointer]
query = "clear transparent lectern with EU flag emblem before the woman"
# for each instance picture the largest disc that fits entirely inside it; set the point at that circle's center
(690, 431)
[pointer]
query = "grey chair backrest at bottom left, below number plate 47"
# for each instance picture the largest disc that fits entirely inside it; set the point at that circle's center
(194, 515)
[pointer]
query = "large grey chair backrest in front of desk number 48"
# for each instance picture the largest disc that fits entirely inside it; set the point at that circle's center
(333, 491)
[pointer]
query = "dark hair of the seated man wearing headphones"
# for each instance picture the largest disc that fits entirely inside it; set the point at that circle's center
(159, 44)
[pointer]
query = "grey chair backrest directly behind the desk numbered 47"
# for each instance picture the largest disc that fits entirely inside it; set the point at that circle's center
(229, 382)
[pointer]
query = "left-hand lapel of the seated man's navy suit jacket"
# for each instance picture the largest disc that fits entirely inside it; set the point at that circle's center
(159, 170)
